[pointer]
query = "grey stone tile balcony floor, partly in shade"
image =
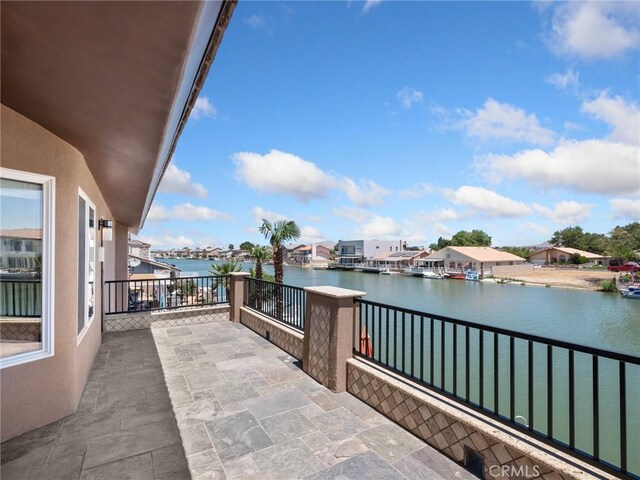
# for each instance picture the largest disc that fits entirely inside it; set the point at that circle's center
(215, 401)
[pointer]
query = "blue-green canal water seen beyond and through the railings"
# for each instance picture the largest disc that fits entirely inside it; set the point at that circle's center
(602, 320)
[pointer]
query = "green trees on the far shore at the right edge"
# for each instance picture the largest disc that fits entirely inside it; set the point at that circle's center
(621, 243)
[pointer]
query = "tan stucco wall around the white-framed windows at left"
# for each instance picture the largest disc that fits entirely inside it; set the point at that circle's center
(42, 391)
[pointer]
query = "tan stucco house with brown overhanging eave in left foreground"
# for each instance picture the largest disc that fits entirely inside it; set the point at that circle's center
(94, 98)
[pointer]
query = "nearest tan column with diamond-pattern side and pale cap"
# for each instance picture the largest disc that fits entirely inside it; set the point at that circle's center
(328, 334)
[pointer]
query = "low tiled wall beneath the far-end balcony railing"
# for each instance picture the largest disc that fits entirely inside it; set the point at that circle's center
(167, 318)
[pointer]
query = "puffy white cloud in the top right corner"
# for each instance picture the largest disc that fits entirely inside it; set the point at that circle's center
(595, 29)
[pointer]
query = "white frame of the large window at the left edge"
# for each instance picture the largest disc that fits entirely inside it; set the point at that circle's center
(47, 329)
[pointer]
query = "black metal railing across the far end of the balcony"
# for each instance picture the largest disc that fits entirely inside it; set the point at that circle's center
(128, 296)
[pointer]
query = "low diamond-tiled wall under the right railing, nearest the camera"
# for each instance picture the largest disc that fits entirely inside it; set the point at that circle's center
(450, 428)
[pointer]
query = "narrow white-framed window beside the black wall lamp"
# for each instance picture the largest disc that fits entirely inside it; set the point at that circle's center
(86, 262)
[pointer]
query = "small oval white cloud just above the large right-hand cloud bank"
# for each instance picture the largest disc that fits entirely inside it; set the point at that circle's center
(501, 121)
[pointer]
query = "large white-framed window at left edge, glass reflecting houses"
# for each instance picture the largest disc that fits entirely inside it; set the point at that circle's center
(27, 206)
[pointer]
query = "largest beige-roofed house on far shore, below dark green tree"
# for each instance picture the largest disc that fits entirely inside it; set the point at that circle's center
(480, 259)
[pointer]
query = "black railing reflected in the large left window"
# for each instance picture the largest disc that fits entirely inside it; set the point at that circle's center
(21, 298)
